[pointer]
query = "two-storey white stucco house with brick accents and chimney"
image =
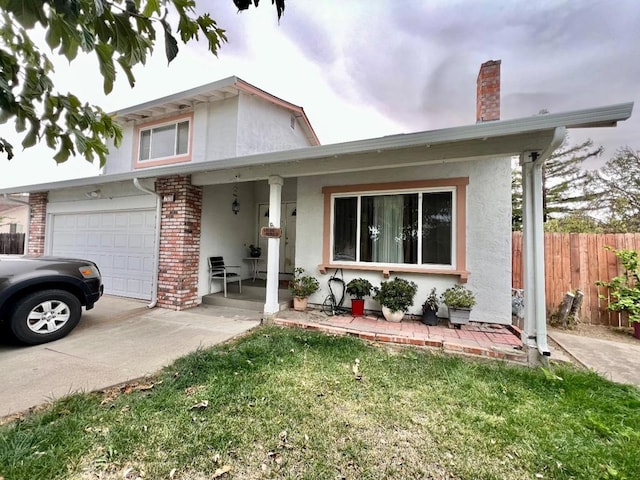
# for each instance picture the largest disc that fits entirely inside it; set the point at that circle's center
(433, 207)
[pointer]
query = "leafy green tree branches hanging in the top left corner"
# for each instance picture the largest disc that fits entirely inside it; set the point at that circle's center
(121, 33)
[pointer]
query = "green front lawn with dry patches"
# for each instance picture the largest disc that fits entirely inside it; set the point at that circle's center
(284, 403)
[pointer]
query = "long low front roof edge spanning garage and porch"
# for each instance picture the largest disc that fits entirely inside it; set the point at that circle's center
(513, 135)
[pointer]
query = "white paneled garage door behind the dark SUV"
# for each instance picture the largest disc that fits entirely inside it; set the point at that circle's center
(120, 242)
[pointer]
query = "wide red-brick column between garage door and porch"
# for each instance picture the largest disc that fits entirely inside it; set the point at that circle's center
(179, 242)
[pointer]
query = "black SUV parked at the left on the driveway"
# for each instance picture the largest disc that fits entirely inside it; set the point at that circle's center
(41, 298)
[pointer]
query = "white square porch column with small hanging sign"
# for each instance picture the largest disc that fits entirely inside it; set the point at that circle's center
(273, 256)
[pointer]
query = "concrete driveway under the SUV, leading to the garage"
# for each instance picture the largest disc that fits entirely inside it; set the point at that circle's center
(119, 340)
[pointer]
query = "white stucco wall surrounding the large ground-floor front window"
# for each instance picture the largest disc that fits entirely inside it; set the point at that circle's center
(488, 233)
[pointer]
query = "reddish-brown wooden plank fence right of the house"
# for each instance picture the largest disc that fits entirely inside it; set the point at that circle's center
(577, 261)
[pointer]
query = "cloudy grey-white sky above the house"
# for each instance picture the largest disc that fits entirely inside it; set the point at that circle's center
(364, 68)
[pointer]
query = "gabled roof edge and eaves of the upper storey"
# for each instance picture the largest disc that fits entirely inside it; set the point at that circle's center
(211, 92)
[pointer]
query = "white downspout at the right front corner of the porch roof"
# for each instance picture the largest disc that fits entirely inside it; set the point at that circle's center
(535, 301)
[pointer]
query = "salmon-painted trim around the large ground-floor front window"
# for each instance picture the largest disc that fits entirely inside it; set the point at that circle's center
(460, 214)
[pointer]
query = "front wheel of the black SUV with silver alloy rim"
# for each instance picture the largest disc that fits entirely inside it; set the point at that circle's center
(45, 316)
